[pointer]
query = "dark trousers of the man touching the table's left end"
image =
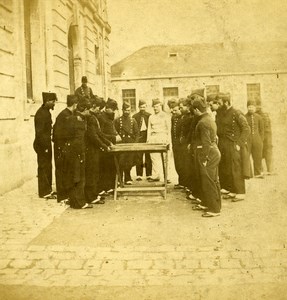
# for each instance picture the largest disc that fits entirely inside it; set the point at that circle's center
(108, 171)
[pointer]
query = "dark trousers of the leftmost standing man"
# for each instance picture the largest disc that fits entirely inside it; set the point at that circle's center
(44, 160)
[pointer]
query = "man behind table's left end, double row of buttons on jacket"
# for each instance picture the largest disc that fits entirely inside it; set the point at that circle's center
(127, 128)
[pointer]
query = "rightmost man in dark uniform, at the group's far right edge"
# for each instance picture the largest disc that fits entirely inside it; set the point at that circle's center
(267, 141)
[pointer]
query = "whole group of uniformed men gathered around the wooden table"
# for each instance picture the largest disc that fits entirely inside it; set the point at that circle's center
(211, 143)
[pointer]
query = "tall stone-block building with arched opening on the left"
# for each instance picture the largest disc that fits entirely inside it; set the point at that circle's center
(46, 45)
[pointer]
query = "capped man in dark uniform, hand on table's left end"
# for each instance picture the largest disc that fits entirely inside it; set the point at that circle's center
(107, 164)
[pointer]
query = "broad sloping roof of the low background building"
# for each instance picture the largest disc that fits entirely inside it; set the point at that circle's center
(208, 59)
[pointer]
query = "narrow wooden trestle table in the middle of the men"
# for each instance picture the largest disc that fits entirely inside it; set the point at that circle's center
(139, 148)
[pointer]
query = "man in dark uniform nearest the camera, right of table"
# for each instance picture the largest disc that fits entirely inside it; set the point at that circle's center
(207, 157)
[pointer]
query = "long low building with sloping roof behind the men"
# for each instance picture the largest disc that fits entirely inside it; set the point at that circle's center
(256, 71)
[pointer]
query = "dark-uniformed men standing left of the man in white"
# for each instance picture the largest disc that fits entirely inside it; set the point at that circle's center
(83, 134)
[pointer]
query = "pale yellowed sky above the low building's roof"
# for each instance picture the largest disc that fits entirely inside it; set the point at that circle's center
(139, 23)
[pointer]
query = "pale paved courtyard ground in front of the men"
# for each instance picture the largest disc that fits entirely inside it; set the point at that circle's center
(145, 247)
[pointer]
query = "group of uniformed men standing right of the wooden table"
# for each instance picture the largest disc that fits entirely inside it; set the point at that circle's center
(212, 144)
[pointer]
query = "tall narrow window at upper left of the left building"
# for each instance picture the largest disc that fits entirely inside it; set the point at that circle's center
(28, 59)
